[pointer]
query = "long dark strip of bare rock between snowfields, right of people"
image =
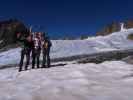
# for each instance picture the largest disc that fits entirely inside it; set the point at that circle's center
(97, 57)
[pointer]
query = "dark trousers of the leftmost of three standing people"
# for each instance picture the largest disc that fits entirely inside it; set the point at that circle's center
(25, 52)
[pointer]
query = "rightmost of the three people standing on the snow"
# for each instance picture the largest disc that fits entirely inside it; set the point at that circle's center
(46, 50)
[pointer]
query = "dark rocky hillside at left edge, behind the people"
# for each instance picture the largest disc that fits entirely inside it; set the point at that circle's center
(8, 30)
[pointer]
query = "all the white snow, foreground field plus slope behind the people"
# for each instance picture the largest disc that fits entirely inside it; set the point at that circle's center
(106, 81)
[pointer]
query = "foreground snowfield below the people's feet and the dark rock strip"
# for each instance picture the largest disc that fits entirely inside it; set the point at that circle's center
(106, 81)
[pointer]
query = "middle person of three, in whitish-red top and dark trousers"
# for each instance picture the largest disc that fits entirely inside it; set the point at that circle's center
(36, 50)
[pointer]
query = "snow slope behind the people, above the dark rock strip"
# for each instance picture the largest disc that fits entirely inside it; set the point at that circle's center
(64, 48)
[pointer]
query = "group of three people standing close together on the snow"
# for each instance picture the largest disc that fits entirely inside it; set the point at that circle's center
(34, 45)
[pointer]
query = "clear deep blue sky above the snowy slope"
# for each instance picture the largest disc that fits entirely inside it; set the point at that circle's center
(67, 17)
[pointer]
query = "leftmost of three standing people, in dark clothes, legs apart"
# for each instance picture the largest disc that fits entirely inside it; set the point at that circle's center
(27, 45)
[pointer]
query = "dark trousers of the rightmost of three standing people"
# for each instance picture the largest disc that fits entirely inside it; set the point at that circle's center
(46, 57)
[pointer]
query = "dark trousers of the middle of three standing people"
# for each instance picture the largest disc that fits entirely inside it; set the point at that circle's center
(36, 57)
